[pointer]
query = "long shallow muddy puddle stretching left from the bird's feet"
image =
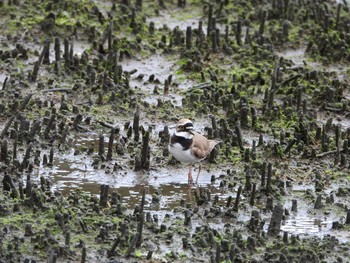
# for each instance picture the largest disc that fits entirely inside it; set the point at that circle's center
(73, 172)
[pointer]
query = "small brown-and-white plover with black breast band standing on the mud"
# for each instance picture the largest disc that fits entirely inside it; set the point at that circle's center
(188, 146)
